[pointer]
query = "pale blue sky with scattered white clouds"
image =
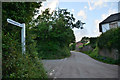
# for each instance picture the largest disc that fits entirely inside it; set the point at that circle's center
(91, 12)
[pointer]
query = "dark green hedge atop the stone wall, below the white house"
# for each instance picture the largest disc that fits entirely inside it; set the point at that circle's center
(110, 39)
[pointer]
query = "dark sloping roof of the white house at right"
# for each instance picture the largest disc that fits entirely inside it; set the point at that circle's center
(111, 18)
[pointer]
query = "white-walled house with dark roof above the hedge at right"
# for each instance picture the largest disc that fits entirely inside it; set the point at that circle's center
(112, 21)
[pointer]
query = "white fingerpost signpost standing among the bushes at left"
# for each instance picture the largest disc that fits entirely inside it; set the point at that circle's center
(22, 32)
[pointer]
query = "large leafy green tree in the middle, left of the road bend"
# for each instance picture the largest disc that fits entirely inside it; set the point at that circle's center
(54, 33)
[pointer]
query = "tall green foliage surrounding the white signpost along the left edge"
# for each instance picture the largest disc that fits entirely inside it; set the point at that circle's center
(16, 65)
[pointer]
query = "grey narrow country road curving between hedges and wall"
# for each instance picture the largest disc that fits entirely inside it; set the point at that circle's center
(79, 65)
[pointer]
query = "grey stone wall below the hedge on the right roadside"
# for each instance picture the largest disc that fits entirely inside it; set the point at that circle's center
(107, 53)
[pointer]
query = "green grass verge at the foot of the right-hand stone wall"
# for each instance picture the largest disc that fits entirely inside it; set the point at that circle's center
(94, 54)
